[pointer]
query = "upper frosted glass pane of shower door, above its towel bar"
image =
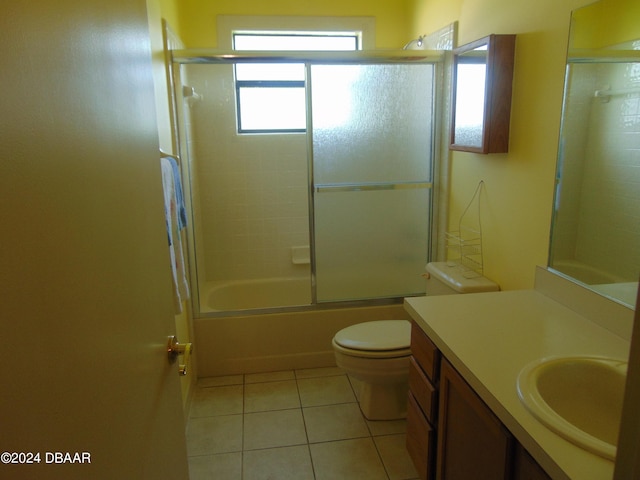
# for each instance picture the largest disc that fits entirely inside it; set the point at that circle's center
(372, 123)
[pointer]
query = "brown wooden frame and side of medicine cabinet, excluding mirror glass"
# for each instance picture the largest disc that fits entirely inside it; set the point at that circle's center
(497, 95)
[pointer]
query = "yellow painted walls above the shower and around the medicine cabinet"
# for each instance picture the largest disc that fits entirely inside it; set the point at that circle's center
(516, 205)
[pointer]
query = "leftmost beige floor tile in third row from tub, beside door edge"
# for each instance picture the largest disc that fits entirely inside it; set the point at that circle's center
(210, 435)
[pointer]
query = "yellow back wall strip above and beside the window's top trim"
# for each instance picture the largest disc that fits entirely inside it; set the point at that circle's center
(198, 17)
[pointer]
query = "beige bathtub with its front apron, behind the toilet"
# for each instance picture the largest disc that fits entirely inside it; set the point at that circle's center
(230, 342)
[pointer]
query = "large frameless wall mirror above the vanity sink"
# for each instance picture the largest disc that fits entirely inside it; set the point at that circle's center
(595, 235)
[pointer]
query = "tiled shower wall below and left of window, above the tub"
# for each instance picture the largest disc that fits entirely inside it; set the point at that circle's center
(253, 189)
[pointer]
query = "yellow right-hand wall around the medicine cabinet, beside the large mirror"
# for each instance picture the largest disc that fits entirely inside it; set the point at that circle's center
(516, 204)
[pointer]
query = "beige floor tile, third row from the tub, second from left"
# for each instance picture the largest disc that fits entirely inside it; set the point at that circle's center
(279, 428)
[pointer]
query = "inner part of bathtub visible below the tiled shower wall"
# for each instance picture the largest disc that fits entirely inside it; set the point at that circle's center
(256, 294)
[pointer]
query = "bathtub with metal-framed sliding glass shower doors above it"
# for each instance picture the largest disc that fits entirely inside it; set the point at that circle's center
(355, 197)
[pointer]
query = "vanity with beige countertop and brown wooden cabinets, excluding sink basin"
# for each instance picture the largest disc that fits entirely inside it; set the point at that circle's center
(465, 418)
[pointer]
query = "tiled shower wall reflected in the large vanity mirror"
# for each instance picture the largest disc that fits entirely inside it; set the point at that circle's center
(599, 224)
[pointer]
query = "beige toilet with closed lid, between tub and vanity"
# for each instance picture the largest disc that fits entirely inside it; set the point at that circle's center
(376, 354)
